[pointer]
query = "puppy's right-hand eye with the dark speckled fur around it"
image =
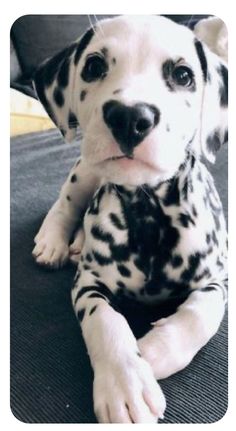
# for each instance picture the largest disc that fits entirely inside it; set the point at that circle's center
(178, 76)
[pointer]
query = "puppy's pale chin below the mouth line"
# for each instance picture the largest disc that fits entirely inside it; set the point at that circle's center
(130, 171)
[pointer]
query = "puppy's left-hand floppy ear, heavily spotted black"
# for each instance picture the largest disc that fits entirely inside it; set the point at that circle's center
(56, 85)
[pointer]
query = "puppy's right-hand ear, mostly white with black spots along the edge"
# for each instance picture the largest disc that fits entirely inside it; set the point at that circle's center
(214, 112)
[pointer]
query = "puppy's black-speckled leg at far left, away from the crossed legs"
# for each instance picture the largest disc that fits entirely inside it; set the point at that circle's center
(52, 241)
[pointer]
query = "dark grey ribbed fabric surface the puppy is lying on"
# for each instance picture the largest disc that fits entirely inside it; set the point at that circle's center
(51, 377)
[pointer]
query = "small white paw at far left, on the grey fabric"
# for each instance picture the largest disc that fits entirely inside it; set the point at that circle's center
(50, 250)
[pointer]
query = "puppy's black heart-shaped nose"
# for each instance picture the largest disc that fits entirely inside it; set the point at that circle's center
(130, 124)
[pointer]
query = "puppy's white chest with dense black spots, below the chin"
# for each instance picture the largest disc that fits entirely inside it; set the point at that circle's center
(142, 248)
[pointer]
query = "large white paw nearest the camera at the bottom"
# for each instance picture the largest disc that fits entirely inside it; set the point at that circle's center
(127, 393)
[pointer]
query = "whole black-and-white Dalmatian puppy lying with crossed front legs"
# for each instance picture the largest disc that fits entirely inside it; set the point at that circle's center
(150, 99)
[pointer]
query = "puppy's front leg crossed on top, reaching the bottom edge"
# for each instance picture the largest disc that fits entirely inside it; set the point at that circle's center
(125, 389)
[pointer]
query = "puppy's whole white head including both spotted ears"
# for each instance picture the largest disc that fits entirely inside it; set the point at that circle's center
(144, 92)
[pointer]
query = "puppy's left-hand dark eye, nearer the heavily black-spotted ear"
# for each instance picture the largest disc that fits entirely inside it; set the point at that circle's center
(95, 68)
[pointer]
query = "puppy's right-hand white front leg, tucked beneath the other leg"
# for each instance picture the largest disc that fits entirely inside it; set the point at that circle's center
(174, 341)
